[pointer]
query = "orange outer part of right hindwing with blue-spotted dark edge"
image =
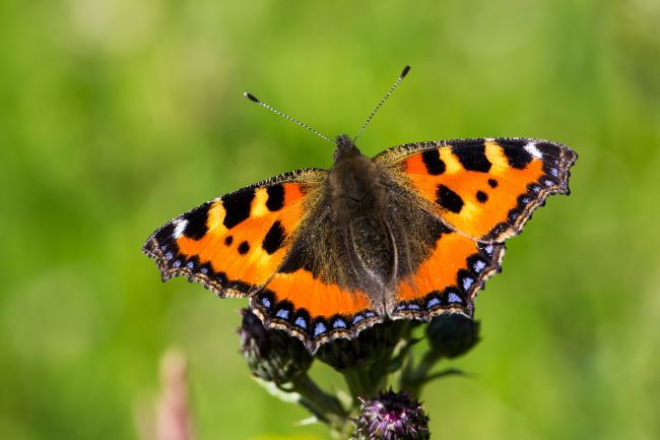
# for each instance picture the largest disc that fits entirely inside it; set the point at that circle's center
(449, 280)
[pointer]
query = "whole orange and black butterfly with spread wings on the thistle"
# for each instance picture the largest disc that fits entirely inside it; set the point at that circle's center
(411, 233)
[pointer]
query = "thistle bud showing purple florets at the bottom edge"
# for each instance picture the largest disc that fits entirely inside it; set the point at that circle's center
(391, 416)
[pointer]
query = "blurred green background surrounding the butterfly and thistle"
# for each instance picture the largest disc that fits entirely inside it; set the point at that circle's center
(116, 115)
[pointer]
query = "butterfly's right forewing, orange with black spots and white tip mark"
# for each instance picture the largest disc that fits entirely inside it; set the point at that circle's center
(488, 188)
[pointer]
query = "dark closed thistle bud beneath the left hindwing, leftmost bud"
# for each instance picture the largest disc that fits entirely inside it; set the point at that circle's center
(272, 355)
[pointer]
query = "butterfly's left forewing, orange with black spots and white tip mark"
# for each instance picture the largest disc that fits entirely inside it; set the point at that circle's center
(234, 244)
